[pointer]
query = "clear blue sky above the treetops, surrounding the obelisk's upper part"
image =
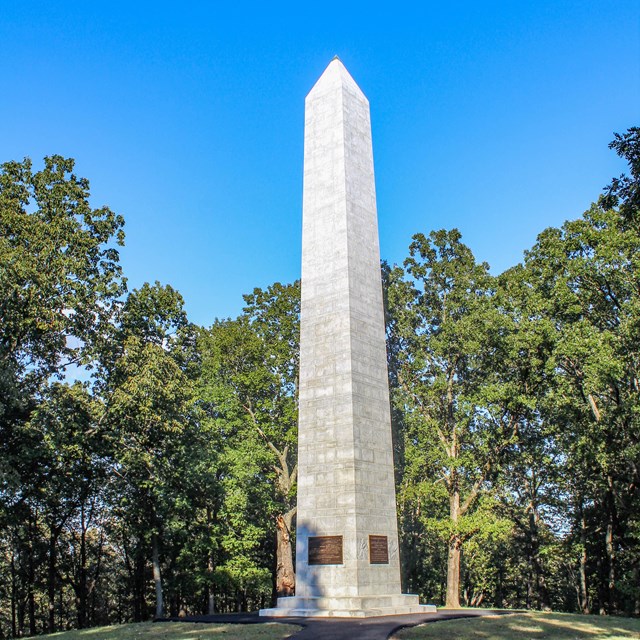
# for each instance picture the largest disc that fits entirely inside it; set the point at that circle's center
(493, 117)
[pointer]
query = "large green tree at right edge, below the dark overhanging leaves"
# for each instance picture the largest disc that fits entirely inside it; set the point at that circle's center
(587, 271)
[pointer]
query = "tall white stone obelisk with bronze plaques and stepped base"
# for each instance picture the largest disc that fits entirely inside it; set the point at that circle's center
(347, 541)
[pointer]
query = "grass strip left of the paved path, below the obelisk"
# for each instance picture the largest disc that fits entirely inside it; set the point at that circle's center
(180, 631)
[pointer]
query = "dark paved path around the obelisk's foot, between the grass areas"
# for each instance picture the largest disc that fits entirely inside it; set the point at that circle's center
(379, 628)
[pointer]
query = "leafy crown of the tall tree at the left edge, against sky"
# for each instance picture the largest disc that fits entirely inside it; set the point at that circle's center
(60, 276)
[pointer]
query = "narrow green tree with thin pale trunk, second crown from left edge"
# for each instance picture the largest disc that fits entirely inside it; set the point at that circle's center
(150, 408)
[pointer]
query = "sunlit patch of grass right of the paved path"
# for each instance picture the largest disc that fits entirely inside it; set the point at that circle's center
(528, 626)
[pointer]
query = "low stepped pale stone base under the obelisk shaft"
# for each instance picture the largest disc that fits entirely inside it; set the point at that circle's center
(347, 607)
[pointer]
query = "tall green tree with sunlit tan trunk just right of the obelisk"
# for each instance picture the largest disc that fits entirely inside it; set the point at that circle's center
(457, 416)
